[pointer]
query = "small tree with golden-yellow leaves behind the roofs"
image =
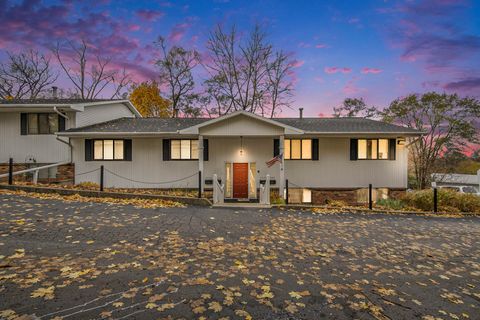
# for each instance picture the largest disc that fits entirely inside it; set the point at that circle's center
(148, 101)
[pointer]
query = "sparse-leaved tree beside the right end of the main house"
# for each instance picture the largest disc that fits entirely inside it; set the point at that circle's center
(446, 121)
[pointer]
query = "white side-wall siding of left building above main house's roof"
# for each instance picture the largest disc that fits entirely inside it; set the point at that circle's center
(102, 113)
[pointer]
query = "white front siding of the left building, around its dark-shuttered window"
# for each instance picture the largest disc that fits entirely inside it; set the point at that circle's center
(42, 148)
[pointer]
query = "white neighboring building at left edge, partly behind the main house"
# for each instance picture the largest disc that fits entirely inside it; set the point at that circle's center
(28, 128)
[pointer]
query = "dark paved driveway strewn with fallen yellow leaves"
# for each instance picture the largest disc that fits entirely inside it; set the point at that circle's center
(72, 260)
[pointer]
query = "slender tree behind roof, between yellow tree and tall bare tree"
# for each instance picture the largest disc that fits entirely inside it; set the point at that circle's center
(175, 71)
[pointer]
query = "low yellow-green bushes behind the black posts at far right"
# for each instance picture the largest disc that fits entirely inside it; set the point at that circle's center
(448, 200)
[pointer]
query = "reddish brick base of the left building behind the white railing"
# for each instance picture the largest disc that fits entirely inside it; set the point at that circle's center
(65, 172)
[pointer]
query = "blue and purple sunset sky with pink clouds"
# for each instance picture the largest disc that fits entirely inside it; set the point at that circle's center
(375, 50)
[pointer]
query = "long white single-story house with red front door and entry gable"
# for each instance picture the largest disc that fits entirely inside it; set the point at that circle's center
(329, 157)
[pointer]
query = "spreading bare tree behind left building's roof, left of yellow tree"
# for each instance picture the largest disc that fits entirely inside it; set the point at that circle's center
(89, 72)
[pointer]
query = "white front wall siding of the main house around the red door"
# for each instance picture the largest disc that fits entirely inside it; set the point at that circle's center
(333, 169)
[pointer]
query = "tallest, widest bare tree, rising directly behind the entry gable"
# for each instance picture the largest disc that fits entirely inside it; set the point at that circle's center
(246, 75)
